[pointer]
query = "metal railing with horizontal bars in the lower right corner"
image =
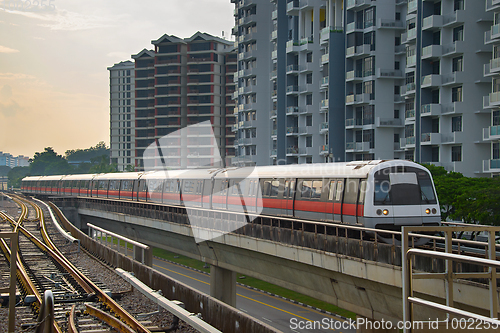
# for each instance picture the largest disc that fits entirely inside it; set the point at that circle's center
(449, 275)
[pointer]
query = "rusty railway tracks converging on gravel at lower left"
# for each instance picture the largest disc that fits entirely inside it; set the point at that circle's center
(62, 298)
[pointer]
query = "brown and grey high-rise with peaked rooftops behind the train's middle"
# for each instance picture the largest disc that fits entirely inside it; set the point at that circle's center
(184, 82)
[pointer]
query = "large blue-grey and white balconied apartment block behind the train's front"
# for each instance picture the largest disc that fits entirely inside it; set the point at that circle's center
(358, 80)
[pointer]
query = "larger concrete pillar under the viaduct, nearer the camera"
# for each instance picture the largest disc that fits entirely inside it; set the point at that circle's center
(223, 285)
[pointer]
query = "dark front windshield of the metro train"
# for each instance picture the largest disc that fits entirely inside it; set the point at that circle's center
(403, 186)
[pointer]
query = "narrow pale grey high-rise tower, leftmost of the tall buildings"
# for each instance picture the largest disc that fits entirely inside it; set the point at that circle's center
(122, 114)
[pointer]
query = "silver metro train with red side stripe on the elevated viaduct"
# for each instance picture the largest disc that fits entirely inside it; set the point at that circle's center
(376, 194)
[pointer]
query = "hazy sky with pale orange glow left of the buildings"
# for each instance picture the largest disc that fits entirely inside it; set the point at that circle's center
(54, 82)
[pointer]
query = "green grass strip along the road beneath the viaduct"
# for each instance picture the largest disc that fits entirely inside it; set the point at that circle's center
(256, 283)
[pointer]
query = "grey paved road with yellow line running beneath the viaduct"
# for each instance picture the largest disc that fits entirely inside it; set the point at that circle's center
(276, 312)
